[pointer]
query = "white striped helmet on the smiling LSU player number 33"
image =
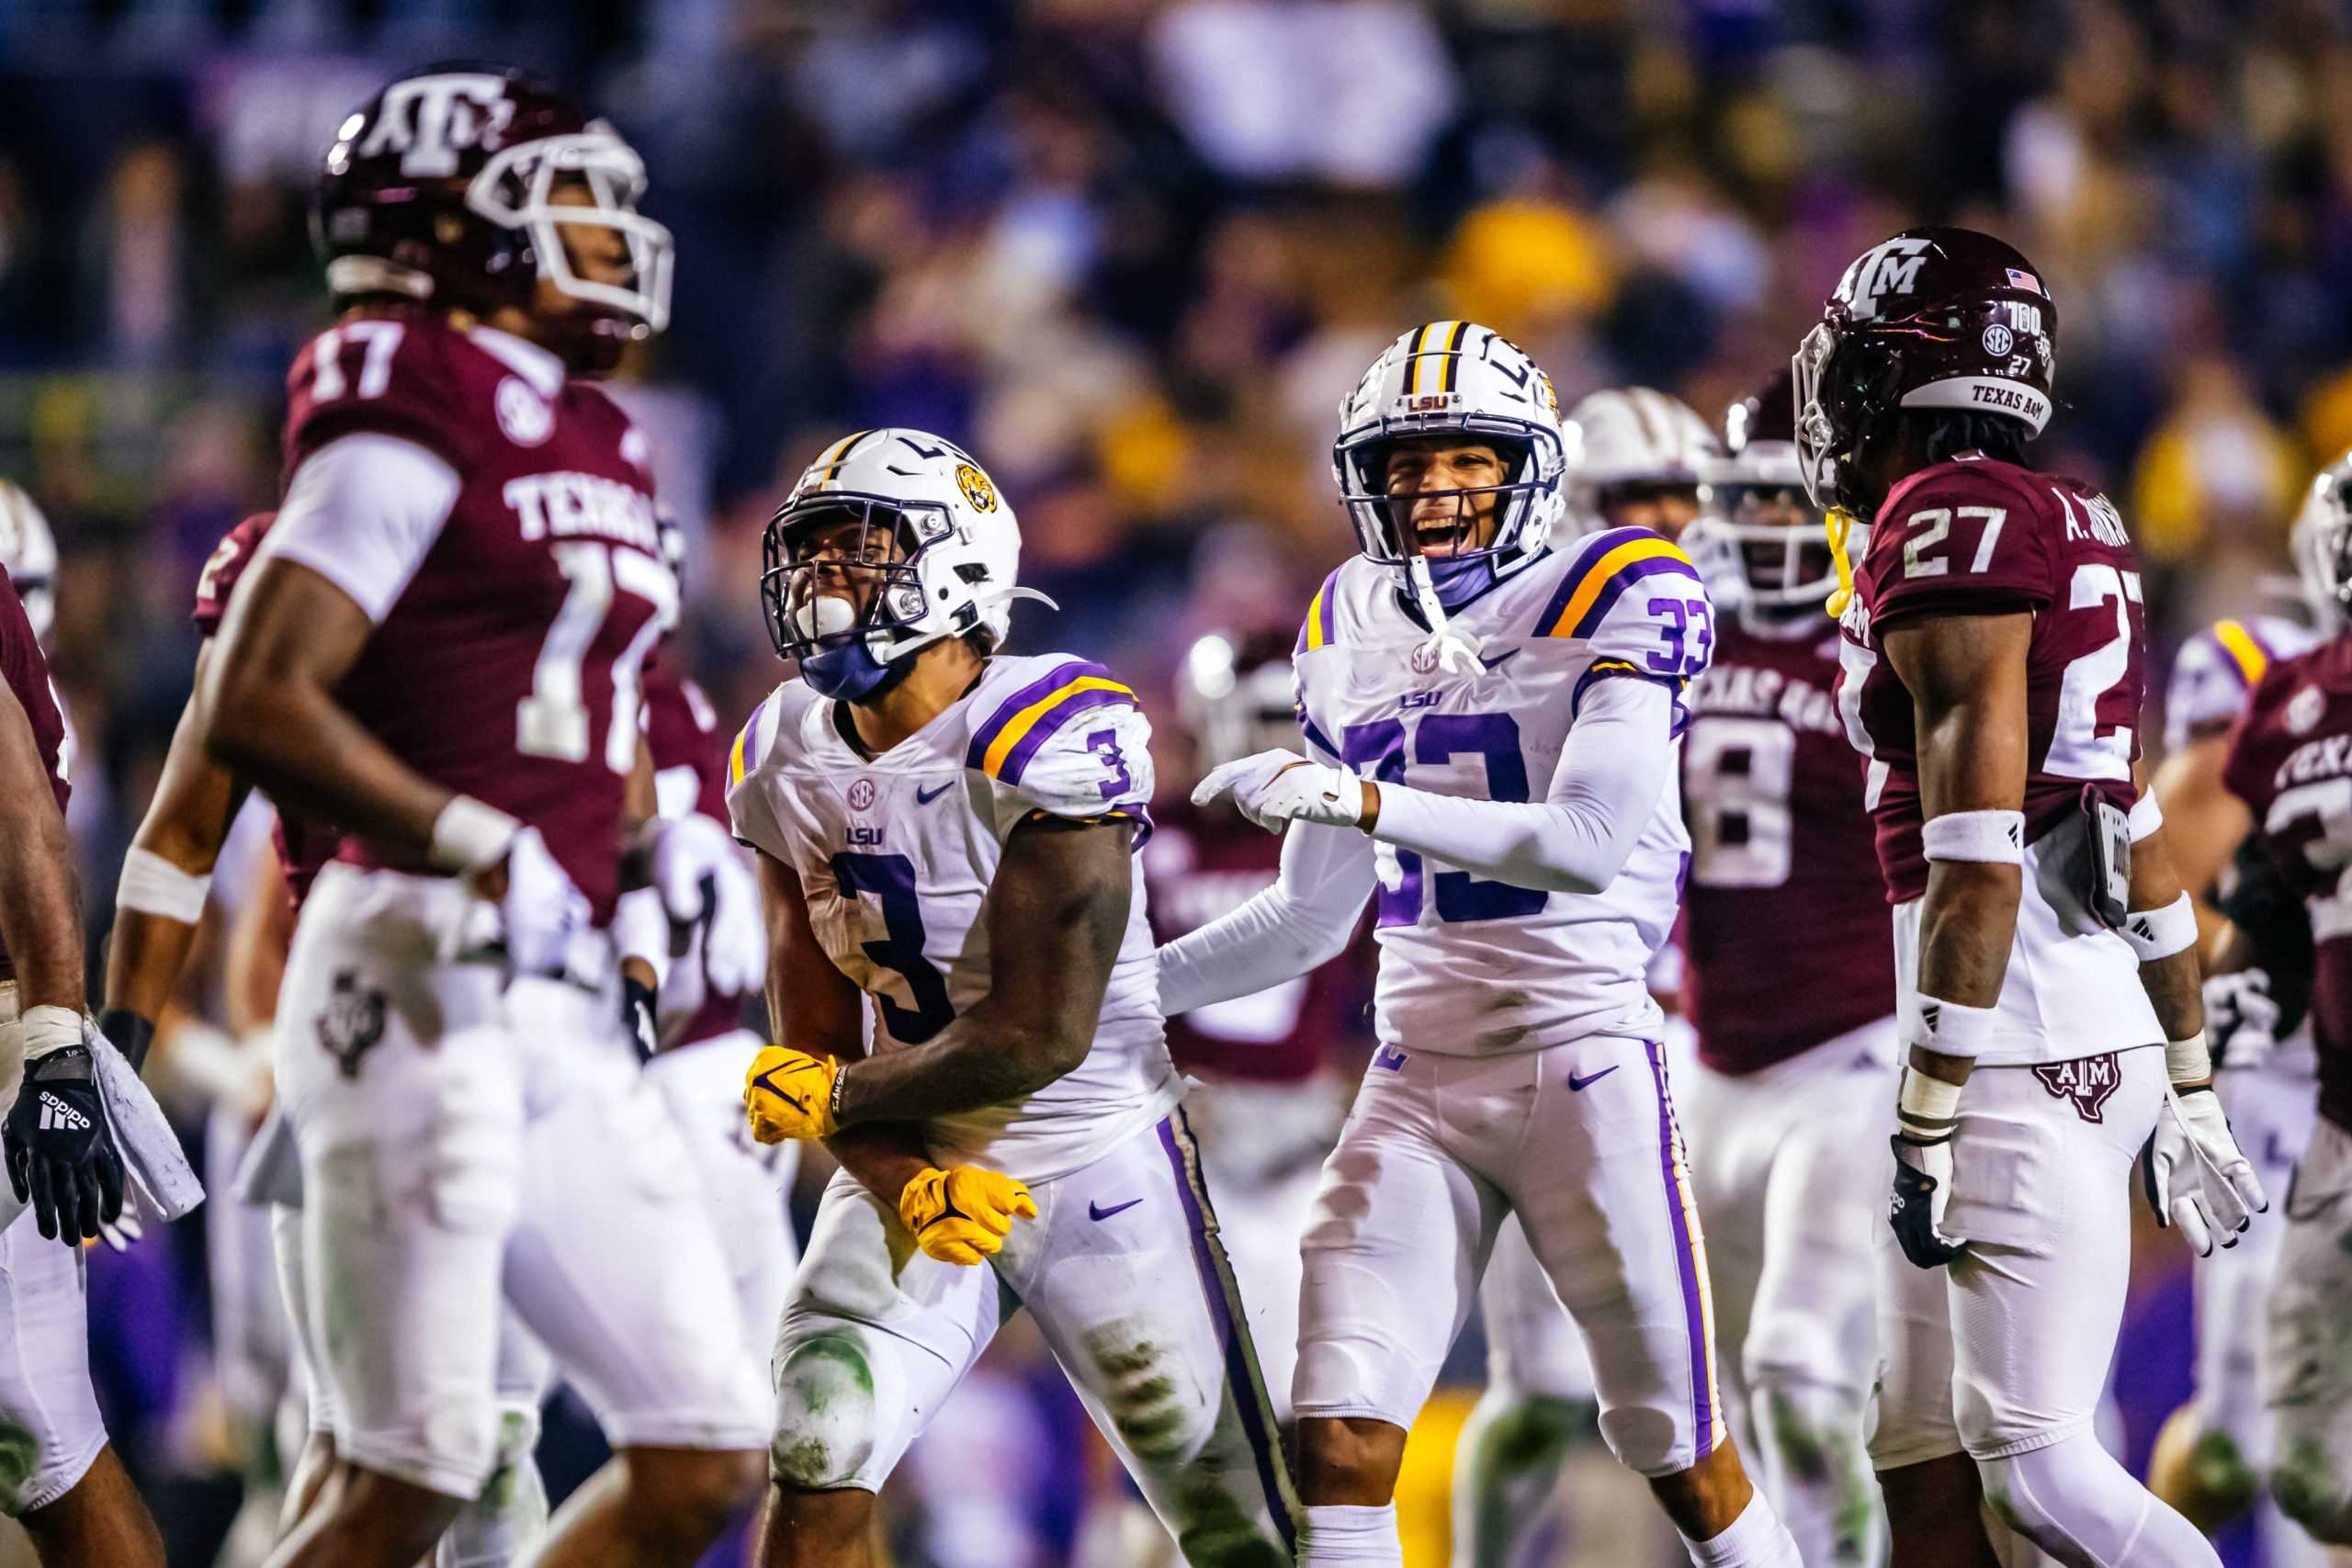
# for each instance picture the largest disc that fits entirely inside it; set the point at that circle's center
(1452, 380)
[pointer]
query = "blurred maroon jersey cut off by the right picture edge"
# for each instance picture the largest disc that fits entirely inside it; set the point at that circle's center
(2292, 765)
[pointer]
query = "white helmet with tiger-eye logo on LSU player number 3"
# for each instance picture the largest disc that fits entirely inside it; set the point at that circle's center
(937, 537)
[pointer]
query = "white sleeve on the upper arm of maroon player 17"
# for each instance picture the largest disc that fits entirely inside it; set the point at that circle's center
(363, 511)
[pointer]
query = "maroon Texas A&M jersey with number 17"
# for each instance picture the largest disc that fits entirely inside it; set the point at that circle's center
(509, 664)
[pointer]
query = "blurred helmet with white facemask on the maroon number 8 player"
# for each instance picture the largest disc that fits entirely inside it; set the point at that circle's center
(1758, 540)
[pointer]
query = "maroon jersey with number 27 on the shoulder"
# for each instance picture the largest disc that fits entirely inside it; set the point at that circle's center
(1986, 537)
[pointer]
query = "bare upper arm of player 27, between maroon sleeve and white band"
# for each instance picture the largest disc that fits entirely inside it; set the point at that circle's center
(1967, 685)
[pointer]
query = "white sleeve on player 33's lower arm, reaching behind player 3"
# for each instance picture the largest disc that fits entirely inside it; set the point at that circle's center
(1285, 932)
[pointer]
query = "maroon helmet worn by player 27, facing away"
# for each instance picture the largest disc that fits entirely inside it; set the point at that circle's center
(1935, 319)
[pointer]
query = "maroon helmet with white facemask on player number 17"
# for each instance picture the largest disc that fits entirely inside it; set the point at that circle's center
(443, 189)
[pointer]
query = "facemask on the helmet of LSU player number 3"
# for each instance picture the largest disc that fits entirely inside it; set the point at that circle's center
(843, 587)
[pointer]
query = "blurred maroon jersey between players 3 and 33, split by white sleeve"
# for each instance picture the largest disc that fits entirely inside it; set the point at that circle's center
(1201, 864)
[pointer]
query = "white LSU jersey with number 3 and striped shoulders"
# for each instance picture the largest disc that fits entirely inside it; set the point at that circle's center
(897, 855)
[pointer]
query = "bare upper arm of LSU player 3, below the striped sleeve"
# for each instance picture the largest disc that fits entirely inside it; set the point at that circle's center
(1057, 918)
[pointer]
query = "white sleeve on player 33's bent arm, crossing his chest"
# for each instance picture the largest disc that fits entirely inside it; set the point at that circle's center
(1605, 791)
